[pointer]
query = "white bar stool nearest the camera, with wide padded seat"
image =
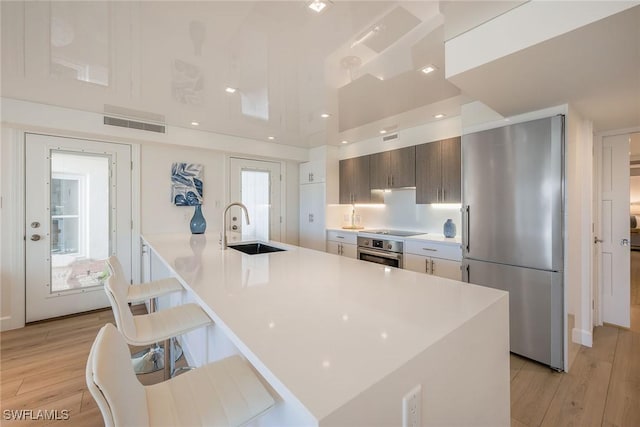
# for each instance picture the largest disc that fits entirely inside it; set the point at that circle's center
(222, 393)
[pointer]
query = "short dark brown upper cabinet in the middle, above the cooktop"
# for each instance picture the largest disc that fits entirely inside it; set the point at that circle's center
(393, 169)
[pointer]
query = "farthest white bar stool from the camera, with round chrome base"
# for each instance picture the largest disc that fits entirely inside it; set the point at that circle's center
(152, 358)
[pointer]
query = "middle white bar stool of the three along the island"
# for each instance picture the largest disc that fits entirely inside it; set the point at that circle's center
(147, 329)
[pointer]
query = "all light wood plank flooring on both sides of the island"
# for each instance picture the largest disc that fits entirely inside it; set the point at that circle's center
(42, 367)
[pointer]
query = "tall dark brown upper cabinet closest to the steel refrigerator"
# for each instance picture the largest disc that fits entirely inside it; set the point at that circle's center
(438, 172)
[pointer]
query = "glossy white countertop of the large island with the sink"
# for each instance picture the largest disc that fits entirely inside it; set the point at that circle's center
(320, 328)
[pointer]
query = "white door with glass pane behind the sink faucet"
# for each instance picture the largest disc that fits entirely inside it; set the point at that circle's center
(256, 184)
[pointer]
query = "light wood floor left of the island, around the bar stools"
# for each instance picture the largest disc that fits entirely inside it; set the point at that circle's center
(42, 367)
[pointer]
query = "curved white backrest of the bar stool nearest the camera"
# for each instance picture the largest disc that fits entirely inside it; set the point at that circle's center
(113, 384)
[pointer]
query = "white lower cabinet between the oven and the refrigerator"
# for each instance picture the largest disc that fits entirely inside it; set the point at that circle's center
(419, 256)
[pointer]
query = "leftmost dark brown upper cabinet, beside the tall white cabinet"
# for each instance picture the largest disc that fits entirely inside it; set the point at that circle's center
(354, 182)
